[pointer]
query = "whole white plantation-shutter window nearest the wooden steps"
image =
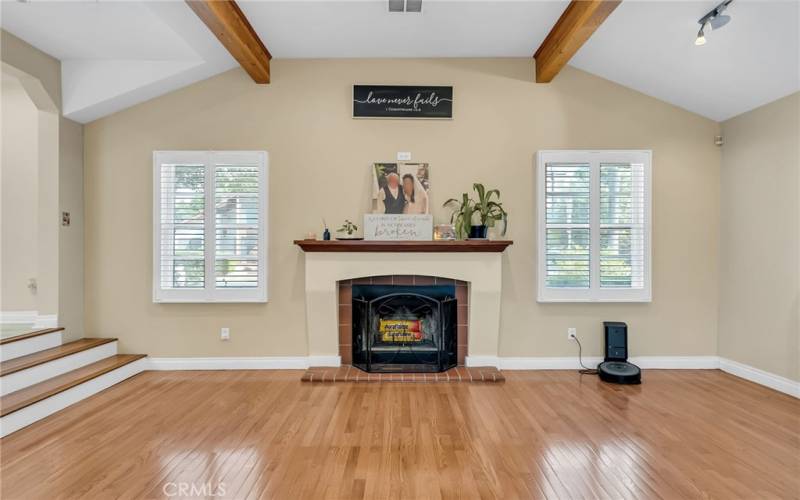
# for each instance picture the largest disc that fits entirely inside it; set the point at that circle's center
(210, 226)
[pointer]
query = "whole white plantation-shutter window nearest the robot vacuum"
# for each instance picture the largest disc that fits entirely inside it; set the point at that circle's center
(594, 226)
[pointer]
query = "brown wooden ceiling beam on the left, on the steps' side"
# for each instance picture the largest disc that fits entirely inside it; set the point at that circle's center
(231, 27)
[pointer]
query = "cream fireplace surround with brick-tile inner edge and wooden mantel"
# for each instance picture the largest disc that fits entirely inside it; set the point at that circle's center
(475, 267)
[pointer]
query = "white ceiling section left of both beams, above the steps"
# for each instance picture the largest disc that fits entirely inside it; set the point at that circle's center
(115, 54)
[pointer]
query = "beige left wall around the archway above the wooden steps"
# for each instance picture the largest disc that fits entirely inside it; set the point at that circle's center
(60, 259)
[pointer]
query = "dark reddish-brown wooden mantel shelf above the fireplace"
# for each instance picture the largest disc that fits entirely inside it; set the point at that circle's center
(403, 246)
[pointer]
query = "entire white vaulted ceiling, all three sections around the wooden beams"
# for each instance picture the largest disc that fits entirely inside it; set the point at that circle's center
(117, 53)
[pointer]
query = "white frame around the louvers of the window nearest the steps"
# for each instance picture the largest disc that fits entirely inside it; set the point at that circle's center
(210, 293)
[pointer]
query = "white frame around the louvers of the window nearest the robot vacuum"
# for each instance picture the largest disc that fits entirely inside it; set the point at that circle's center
(594, 293)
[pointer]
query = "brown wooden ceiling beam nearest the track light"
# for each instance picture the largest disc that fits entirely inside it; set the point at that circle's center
(577, 23)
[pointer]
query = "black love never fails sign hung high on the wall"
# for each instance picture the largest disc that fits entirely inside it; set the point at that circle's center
(402, 101)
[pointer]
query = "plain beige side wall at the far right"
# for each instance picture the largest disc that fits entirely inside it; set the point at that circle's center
(759, 320)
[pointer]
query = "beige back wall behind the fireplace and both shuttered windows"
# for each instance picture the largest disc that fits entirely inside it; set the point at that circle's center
(319, 167)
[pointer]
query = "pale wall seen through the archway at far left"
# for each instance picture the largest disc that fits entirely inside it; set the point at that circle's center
(19, 179)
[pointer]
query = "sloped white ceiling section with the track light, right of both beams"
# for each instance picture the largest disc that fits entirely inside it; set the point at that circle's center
(649, 46)
